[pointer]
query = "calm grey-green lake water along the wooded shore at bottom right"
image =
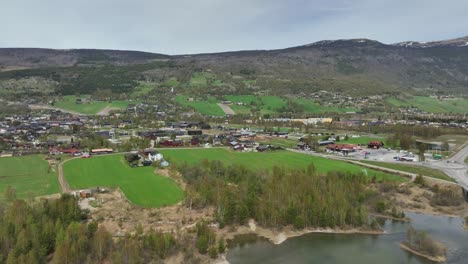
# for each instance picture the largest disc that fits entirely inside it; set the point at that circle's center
(358, 248)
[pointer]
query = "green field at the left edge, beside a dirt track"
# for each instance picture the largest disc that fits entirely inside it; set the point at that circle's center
(28, 175)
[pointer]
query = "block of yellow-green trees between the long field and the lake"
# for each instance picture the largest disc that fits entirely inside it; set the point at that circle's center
(301, 197)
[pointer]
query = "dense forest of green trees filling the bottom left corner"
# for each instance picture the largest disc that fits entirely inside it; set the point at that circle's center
(58, 231)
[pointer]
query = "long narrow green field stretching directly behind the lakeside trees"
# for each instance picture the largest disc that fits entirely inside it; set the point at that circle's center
(267, 160)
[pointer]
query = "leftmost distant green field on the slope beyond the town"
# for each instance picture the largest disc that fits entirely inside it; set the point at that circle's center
(90, 108)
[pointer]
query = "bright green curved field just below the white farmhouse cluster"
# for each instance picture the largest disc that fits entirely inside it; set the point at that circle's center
(140, 185)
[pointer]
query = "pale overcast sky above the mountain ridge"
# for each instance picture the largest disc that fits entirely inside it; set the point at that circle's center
(195, 26)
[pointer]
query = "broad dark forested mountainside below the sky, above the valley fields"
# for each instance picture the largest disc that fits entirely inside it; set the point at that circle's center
(355, 67)
